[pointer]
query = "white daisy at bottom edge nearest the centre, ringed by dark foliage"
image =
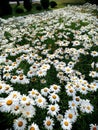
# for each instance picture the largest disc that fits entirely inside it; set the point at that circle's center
(49, 123)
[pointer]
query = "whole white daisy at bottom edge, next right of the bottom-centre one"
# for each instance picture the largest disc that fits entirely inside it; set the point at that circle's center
(66, 124)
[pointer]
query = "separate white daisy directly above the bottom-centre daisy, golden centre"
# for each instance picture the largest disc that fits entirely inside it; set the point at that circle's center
(53, 109)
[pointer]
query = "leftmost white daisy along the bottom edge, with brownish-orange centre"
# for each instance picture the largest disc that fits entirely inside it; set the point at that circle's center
(19, 124)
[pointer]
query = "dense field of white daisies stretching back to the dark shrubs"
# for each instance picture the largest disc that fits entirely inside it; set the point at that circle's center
(33, 45)
